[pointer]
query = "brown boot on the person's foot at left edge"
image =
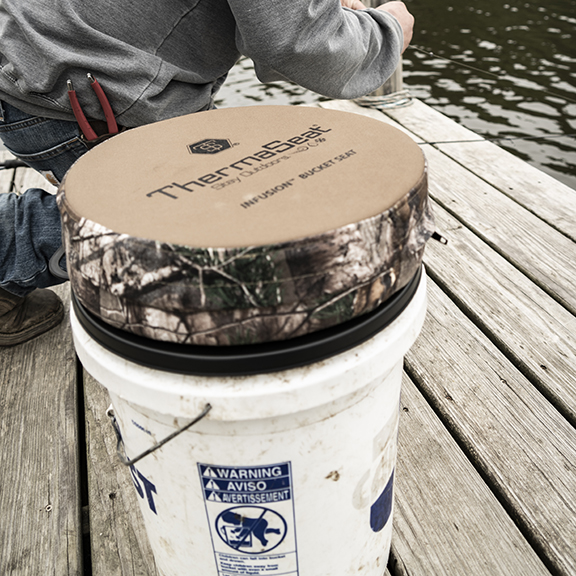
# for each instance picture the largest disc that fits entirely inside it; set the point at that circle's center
(24, 318)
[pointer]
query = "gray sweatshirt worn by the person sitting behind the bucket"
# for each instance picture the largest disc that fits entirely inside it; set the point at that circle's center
(157, 60)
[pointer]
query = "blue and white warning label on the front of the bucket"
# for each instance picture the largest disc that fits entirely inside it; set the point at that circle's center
(250, 511)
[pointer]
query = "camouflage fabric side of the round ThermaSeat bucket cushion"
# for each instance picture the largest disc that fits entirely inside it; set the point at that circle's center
(215, 296)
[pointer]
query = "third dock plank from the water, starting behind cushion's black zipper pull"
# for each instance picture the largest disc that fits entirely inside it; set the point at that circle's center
(534, 330)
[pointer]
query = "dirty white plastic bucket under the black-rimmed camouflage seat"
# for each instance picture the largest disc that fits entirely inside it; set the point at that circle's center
(290, 473)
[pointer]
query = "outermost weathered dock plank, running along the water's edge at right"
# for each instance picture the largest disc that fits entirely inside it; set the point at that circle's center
(530, 187)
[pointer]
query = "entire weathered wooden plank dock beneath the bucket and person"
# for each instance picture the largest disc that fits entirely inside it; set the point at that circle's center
(486, 475)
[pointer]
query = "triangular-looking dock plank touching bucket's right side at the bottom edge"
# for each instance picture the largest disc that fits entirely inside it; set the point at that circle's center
(446, 520)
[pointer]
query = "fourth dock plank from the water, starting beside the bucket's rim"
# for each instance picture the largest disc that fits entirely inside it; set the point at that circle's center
(522, 445)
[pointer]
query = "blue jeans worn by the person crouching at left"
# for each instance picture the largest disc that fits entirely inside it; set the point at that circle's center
(30, 229)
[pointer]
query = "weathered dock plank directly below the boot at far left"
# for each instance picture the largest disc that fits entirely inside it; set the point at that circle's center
(40, 532)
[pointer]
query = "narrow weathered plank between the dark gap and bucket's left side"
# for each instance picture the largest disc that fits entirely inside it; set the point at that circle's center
(118, 540)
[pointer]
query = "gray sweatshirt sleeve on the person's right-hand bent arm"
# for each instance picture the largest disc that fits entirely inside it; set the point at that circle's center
(334, 51)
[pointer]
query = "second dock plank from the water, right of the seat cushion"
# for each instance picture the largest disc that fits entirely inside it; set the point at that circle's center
(541, 252)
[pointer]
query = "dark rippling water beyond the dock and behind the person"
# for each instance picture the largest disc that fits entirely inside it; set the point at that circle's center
(523, 83)
